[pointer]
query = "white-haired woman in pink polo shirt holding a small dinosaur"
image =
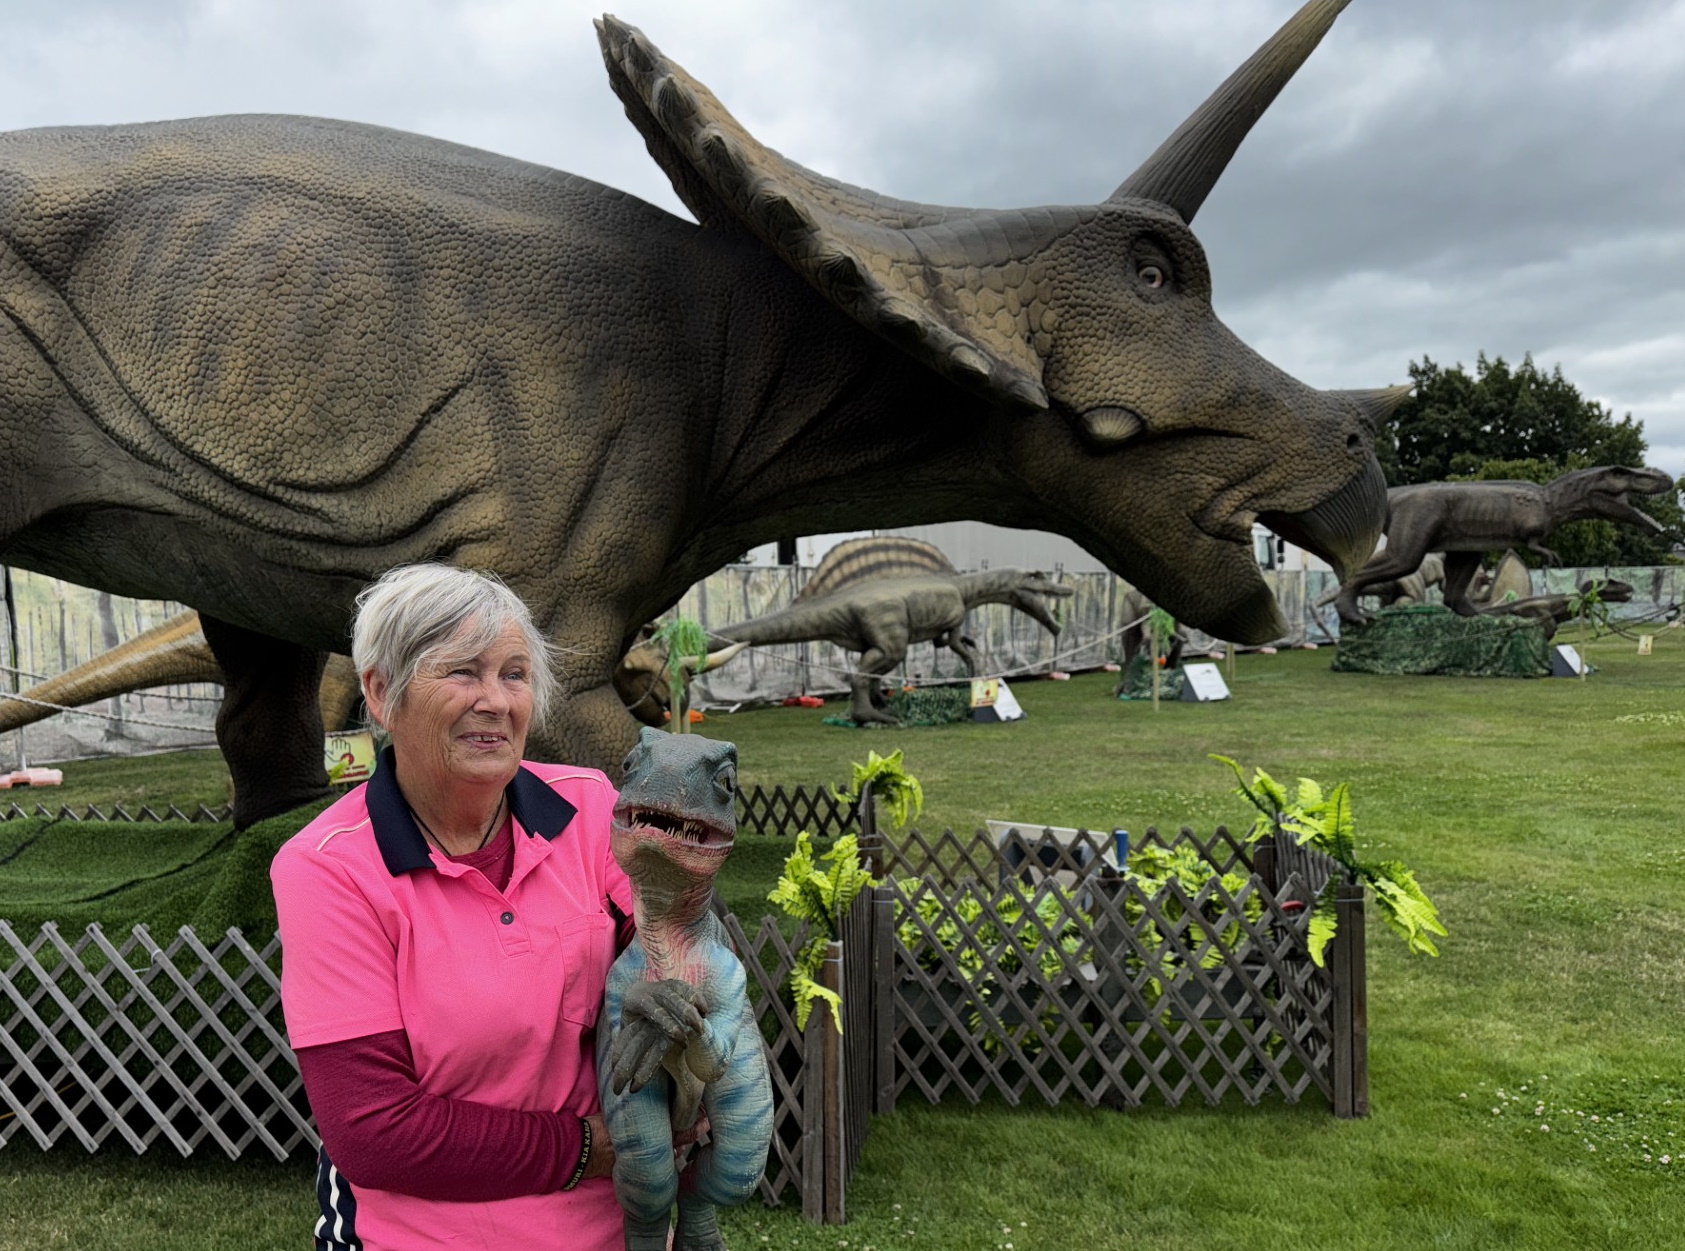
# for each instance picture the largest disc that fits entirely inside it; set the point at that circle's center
(447, 935)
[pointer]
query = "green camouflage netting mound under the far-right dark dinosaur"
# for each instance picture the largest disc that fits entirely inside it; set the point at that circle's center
(1433, 640)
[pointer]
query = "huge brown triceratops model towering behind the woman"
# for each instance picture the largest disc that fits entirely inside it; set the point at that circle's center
(250, 363)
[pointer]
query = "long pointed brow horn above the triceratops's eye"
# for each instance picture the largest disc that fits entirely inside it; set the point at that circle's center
(1187, 166)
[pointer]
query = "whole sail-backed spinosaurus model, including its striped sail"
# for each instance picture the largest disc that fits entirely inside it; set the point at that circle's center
(865, 603)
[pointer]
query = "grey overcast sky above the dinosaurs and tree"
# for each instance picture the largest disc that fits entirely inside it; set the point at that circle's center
(1443, 178)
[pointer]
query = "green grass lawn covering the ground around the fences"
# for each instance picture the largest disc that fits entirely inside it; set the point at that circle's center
(1539, 815)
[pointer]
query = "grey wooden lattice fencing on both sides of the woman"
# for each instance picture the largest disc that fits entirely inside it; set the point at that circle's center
(1027, 969)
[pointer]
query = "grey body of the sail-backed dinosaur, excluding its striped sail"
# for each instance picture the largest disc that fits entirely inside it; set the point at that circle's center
(882, 618)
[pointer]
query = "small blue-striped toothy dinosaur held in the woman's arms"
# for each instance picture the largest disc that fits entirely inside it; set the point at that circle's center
(680, 1034)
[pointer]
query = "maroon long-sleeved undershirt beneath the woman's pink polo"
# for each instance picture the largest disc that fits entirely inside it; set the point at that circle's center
(382, 1130)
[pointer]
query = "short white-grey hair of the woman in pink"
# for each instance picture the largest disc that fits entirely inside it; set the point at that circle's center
(415, 615)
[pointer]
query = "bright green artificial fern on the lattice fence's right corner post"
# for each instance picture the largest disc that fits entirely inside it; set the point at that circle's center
(1325, 824)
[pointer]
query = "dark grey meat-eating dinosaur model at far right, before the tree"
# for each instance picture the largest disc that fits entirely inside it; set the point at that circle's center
(1468, 518)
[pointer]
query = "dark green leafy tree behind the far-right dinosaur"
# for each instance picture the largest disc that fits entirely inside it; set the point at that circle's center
(1524, 424)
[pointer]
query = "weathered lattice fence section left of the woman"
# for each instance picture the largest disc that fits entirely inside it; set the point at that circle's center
(136, 1041)
